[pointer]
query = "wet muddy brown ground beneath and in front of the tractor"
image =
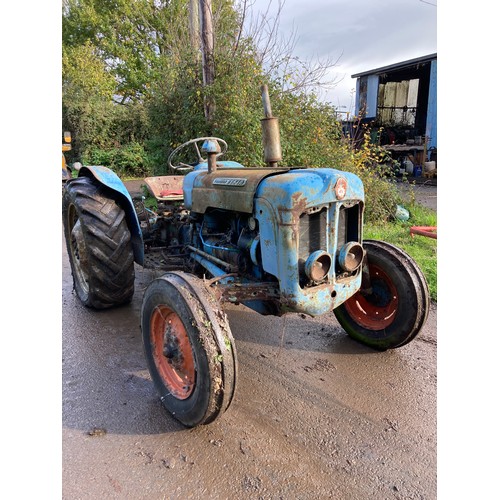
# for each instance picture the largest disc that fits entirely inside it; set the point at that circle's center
(316, 415)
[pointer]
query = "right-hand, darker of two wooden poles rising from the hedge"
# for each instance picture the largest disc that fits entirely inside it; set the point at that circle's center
(207, 51)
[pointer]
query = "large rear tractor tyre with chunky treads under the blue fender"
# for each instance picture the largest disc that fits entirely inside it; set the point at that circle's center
(99, 244)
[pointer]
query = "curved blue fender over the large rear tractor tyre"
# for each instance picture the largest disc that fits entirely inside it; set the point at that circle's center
(108, 178)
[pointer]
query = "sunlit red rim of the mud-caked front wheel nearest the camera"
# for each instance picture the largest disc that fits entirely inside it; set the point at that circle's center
(172, 352)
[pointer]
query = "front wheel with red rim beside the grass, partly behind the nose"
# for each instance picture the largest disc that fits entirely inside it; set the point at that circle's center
(395, 310)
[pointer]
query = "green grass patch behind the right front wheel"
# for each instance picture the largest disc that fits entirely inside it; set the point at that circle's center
(422, 249)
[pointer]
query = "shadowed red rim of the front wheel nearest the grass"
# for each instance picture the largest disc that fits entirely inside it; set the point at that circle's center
(377, 310)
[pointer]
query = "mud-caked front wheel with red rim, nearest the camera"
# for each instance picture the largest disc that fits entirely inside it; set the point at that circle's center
(189, 348)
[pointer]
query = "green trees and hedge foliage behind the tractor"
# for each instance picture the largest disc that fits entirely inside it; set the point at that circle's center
(133, 91)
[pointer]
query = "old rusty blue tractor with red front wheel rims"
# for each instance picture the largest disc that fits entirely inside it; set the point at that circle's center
(276, 239)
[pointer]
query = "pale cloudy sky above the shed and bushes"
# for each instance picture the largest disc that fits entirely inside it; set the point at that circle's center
(361, 34)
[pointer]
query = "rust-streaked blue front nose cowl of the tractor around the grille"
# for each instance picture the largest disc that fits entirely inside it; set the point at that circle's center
(280, 204)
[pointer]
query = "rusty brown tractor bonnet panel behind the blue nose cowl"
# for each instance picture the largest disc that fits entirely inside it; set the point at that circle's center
(227, 188)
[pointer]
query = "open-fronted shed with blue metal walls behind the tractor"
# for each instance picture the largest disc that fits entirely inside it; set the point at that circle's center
(401, 98)
